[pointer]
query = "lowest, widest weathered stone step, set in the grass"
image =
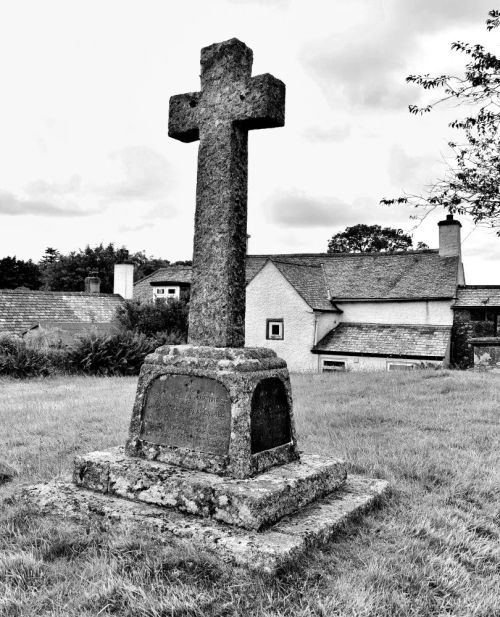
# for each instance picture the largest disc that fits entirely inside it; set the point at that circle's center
(262, 551)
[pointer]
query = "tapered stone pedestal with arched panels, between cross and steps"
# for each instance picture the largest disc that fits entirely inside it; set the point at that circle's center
(241, 372)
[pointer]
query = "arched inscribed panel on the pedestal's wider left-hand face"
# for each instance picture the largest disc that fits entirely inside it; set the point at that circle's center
(188, 412)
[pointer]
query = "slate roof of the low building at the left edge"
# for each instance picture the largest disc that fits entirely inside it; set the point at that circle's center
(21, 310)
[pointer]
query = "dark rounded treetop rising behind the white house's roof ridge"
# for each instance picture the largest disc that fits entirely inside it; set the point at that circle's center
(371, 238)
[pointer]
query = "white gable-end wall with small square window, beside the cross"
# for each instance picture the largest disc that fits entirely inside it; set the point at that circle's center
(270, 296)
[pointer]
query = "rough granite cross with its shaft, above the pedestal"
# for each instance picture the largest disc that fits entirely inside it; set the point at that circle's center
(231, 102)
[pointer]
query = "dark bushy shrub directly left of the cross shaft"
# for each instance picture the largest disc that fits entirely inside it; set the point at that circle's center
(155, 318)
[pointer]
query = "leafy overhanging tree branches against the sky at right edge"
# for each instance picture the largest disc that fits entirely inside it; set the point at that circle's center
(470, 185)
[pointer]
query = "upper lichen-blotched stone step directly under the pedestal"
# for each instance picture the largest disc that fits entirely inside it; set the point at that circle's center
(252, 503)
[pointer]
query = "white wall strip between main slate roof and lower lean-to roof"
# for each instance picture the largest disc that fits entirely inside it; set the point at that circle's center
(432, 312)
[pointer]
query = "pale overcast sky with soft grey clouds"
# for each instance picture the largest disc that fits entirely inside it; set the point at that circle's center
(85, 156)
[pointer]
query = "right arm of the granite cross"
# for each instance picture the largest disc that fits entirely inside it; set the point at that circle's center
(262, 103)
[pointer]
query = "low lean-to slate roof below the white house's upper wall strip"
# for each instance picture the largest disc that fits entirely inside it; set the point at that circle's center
(386, 340)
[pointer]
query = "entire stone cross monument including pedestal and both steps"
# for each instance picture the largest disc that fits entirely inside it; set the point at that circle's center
(212, 455)
